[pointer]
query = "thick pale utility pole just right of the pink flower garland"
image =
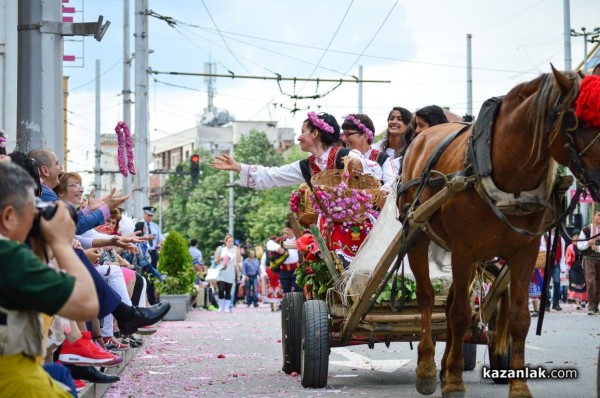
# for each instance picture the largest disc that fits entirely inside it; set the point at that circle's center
(141, 139)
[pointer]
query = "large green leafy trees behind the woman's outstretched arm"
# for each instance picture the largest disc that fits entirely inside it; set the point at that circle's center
(202, 212)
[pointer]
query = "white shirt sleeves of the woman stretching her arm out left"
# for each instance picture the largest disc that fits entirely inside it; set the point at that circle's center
(261, 177)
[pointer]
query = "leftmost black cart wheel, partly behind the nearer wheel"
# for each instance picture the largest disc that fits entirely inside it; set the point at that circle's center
(291, 330)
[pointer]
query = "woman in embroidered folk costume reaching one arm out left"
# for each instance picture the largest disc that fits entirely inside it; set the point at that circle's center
(319, 134)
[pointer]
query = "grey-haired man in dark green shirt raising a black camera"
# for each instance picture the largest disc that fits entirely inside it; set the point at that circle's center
(28, 287)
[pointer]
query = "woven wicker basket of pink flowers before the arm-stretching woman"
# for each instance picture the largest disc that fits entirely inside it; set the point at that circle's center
(329, 181)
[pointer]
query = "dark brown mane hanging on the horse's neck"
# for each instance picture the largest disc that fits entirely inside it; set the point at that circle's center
(547, 113)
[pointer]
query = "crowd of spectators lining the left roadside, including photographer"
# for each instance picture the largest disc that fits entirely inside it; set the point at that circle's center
(73, 293)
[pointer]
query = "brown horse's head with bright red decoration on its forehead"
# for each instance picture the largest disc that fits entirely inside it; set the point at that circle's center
(580, 126)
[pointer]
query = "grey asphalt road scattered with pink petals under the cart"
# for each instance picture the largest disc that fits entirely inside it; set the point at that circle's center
(239, 355)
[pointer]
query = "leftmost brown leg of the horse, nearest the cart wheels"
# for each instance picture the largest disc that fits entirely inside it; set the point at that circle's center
(419, 263)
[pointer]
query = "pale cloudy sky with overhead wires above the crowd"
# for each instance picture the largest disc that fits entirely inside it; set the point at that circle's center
(419, 45)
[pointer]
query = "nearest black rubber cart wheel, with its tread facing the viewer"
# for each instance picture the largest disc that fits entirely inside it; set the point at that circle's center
(315, 344)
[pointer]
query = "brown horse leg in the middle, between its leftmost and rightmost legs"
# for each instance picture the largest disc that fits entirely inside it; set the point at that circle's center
(458, 317)
